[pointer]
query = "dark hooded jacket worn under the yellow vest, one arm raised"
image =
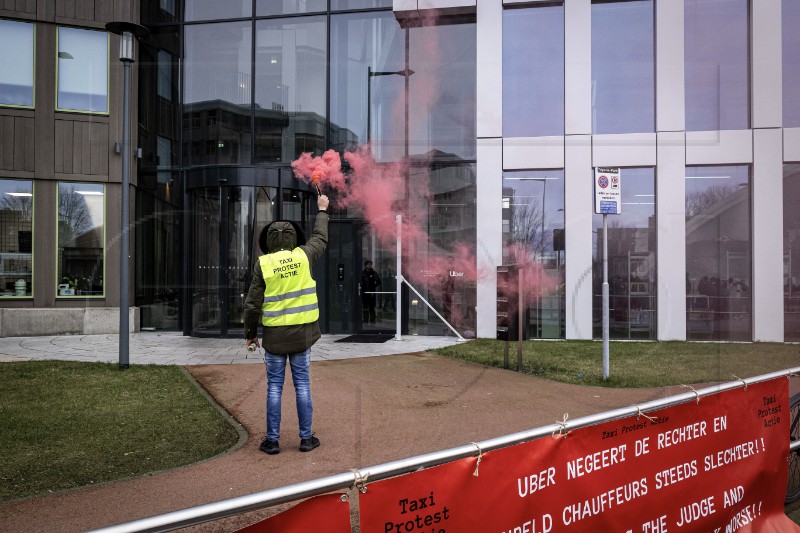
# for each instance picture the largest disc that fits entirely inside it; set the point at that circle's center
(276, 236)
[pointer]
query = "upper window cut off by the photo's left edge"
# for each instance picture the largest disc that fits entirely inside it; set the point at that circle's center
(16, 63)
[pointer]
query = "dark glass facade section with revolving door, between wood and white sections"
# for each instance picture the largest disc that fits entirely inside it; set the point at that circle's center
(235, 95)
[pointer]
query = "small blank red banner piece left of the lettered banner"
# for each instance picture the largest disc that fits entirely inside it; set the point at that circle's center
(328, 509)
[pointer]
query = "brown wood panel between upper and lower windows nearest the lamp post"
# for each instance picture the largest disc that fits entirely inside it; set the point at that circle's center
(81, 147)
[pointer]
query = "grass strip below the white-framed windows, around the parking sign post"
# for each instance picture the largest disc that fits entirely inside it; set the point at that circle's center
(633, 364)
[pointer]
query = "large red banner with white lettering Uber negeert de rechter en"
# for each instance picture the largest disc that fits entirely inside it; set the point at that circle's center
(714, 466)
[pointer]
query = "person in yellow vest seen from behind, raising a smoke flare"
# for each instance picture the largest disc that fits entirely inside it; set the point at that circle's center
(283, 297)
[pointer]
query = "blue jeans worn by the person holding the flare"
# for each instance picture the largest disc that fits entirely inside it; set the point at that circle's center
(276, 373)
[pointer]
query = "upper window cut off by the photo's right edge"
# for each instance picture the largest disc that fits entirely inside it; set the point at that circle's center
(790, 18)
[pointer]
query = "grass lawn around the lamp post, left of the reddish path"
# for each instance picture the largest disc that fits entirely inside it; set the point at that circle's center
(68, 424)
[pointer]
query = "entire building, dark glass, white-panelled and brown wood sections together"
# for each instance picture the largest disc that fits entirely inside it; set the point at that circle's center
(483, 122)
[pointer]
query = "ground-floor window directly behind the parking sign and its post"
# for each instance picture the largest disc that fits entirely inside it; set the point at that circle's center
(631, 261)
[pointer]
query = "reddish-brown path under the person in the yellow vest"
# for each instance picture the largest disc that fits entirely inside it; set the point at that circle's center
(366, 412)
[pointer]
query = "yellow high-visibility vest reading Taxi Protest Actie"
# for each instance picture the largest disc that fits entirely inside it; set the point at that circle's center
(290, 297)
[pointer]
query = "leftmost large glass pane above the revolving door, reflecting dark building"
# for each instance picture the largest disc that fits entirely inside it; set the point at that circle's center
(217, 85)
